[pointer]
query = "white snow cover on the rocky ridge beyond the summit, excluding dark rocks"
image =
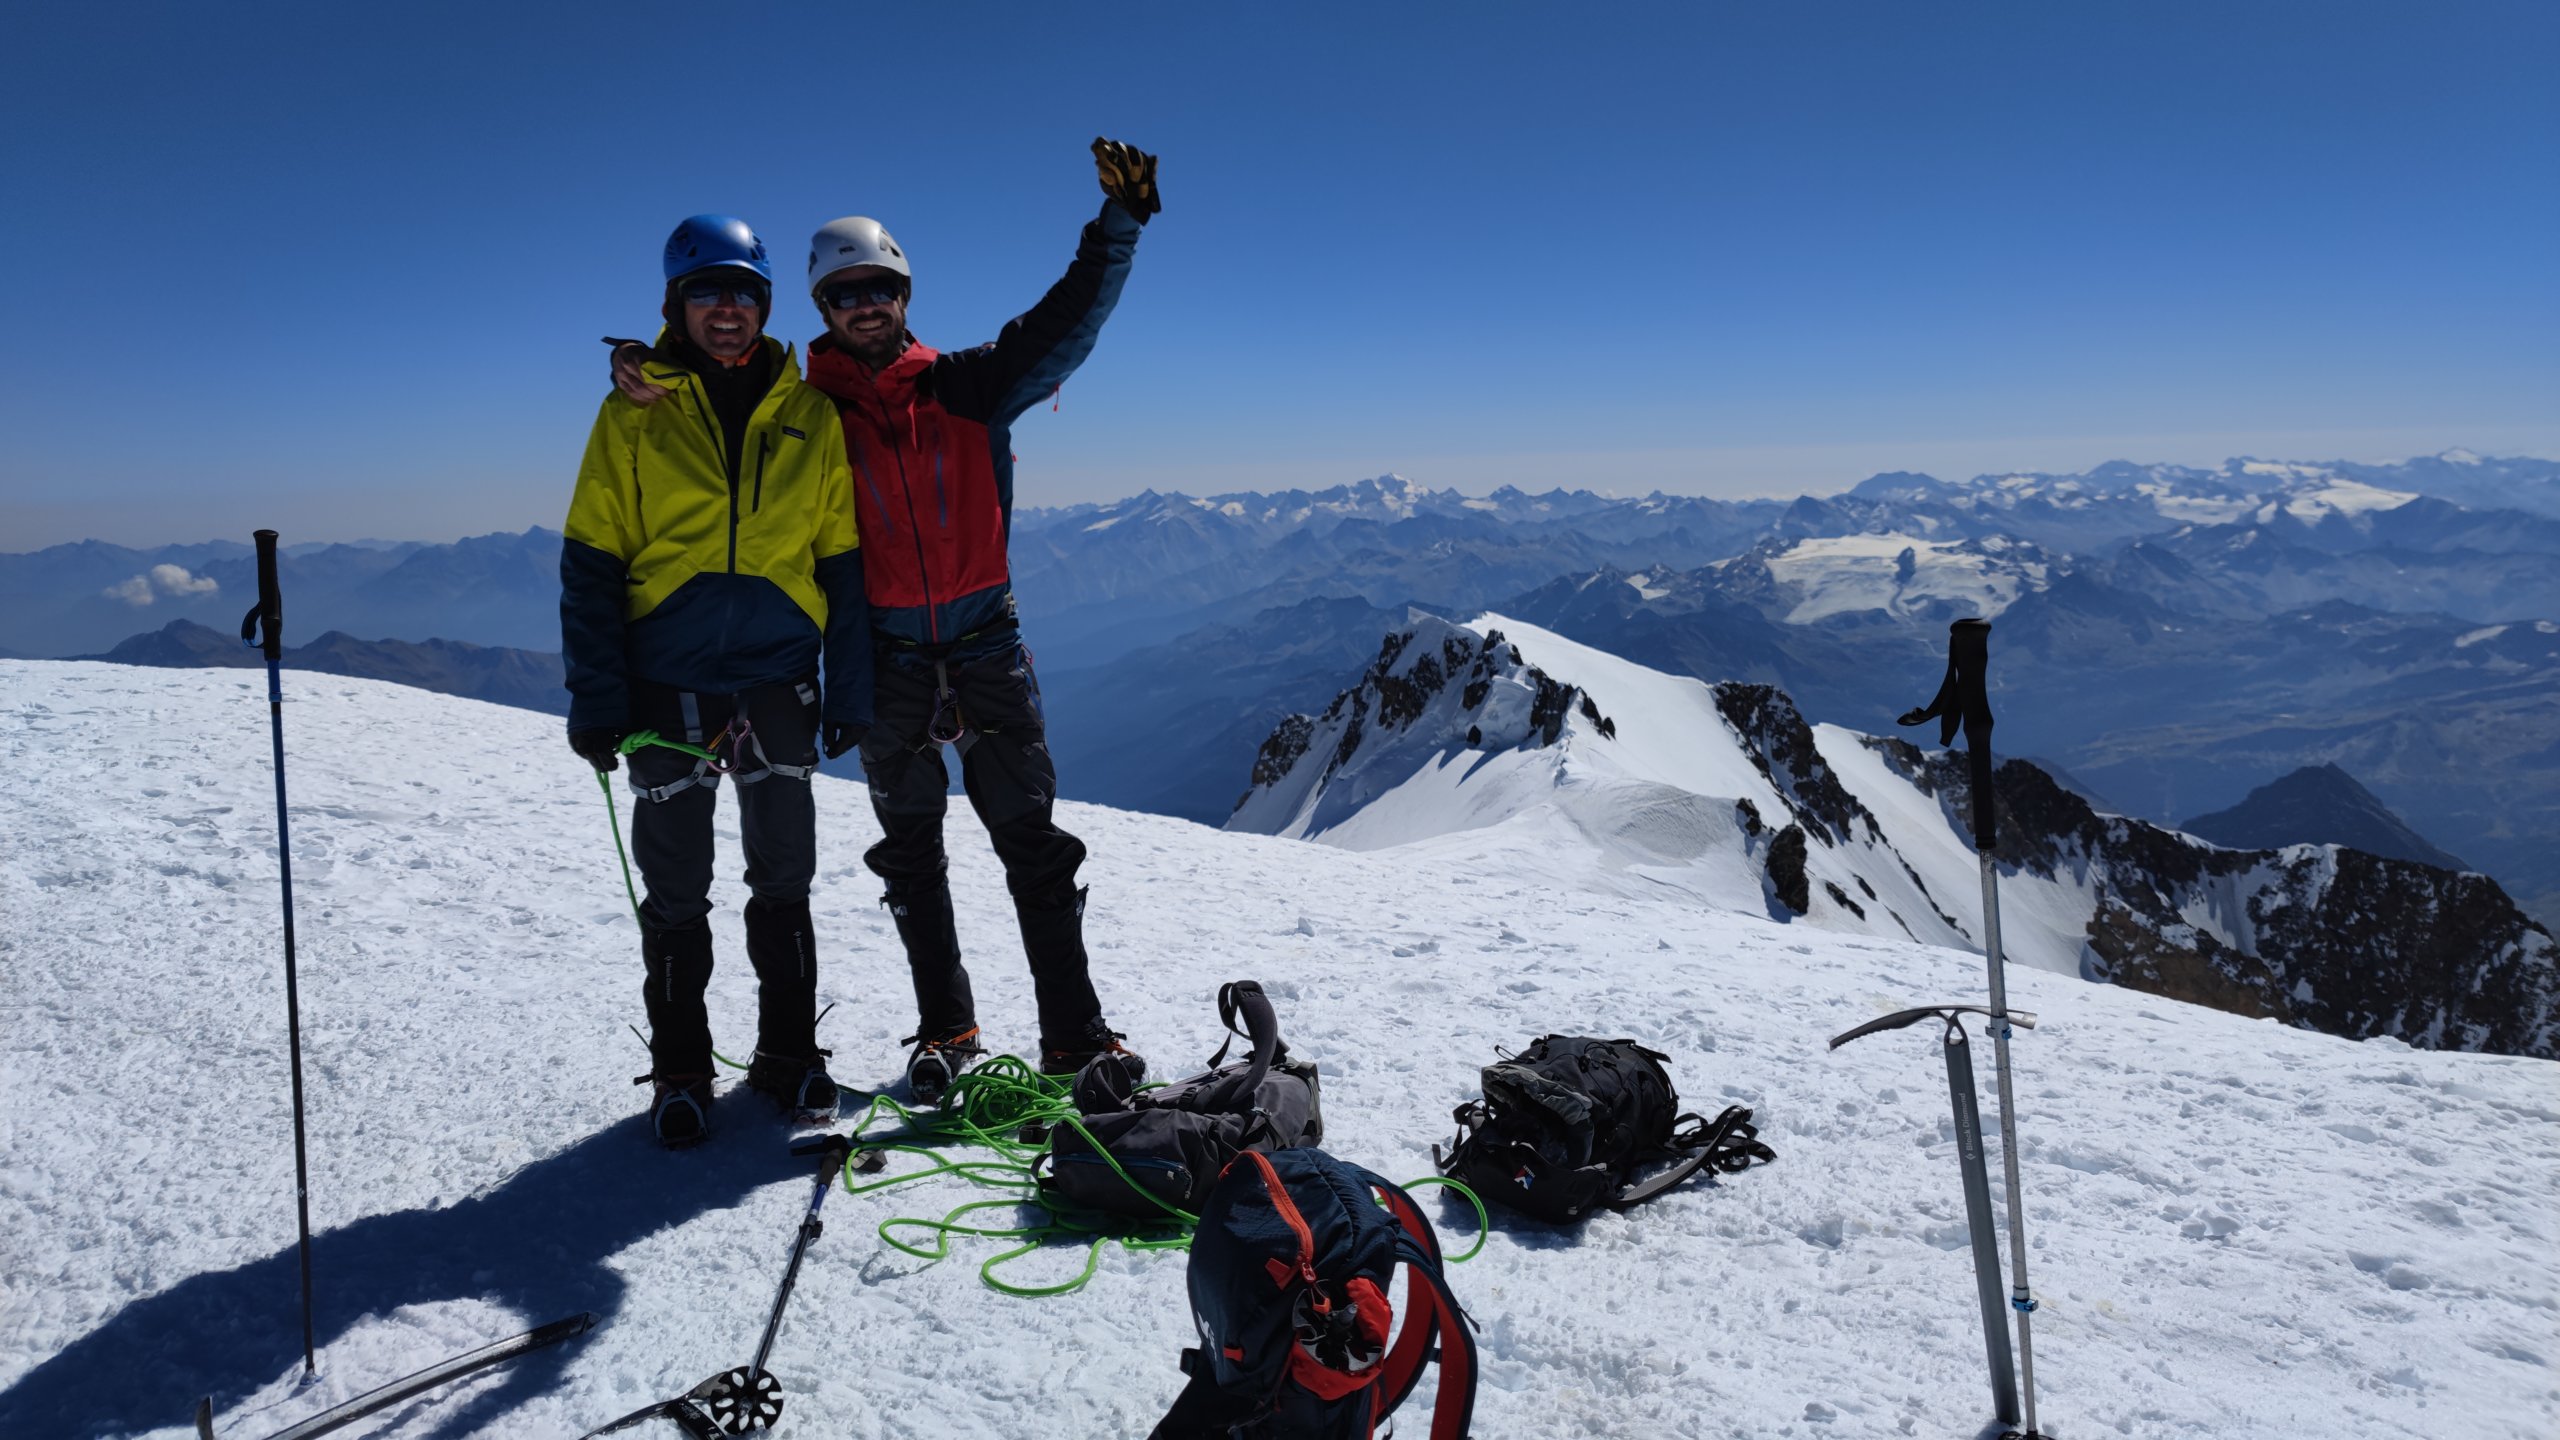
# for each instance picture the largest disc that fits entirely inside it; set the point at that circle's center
(1652, 808)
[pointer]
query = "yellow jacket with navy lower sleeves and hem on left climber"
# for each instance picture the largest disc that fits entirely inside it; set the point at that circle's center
(705, 570)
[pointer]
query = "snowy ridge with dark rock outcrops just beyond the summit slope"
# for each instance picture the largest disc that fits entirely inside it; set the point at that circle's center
(1501, 744)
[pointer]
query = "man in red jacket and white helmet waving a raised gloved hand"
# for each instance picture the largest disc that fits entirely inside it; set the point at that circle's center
(933, 475)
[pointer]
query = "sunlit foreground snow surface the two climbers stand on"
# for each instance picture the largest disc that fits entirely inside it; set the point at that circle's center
(2236, 1229)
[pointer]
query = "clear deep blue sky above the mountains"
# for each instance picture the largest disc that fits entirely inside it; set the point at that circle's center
(342, 268)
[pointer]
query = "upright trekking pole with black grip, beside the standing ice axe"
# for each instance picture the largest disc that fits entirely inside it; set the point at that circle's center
(1965, 701)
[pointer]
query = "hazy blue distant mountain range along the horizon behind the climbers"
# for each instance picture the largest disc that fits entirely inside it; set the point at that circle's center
(2170, 634)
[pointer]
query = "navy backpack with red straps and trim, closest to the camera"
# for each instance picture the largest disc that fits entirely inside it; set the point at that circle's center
(1289, 1288)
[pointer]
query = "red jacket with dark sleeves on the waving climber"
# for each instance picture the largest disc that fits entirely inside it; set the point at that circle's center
(933, 455)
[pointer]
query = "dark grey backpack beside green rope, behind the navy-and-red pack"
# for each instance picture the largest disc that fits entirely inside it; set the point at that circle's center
(1176, 1139)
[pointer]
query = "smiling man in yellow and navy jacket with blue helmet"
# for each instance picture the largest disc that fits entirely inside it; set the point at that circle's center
(708, 573)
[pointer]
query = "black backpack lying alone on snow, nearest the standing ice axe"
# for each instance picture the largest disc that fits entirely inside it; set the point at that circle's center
(1568, 1124)
